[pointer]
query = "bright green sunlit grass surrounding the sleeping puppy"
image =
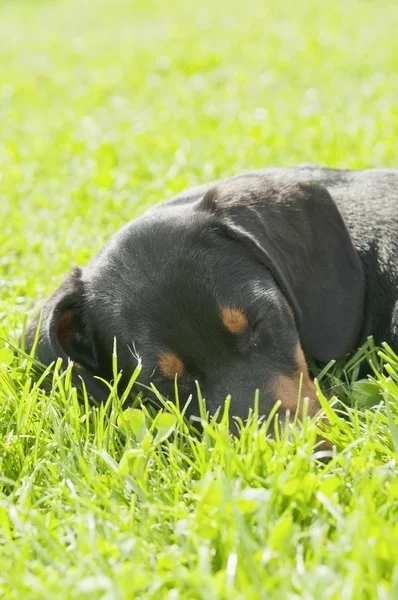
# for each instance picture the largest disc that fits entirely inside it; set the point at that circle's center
(106, 108)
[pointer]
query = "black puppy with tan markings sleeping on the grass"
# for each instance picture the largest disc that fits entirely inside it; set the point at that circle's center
(230, 284)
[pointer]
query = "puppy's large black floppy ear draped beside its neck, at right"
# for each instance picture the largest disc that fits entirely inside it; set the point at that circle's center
(296, 230)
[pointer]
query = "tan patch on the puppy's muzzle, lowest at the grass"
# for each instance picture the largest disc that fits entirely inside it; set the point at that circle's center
(286, 388)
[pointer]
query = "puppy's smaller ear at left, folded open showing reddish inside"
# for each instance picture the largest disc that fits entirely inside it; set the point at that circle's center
(65, 333)
